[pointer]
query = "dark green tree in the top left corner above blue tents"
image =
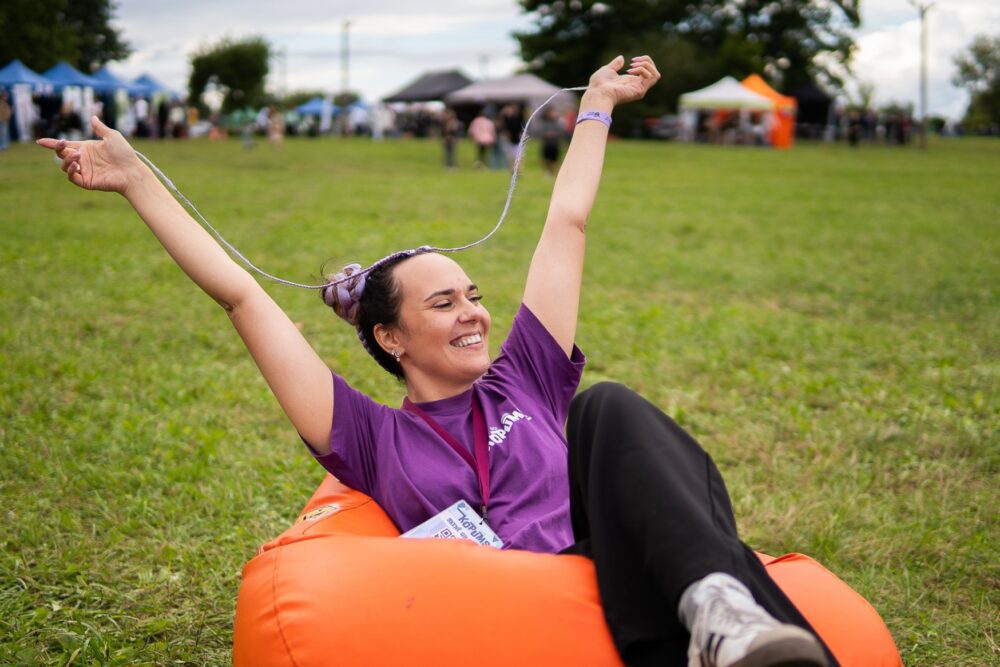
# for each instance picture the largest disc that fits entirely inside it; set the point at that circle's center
(42, 32)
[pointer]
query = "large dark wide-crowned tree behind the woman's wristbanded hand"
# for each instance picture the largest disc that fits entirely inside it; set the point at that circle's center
(694, 41)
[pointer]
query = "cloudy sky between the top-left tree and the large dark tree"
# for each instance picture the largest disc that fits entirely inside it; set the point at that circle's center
(391, 41)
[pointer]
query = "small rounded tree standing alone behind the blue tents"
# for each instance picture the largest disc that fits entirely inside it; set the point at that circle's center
(239, 67)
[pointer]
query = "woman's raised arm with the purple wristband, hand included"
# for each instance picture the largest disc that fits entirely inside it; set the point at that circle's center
(552, 291)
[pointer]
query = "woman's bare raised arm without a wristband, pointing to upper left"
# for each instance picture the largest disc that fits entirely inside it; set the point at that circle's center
(296, 375)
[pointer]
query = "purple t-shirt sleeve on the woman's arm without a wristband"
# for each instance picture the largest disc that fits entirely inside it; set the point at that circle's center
(356, 421)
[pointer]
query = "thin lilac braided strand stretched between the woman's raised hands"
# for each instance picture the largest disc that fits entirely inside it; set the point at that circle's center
(250, 265)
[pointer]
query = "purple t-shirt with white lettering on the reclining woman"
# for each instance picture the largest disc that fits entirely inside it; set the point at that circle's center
(396, 457)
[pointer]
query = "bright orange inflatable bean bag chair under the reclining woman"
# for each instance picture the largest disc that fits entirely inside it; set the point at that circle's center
(338, 587)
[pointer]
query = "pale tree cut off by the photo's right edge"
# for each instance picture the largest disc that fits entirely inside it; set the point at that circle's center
(979, 73)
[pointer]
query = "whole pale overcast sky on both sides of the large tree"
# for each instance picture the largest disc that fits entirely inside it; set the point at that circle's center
(394, 41)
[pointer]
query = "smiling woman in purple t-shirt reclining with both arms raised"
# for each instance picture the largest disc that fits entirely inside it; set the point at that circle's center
(639, 496)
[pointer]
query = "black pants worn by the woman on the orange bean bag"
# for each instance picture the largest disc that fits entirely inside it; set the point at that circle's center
(651, 509)
